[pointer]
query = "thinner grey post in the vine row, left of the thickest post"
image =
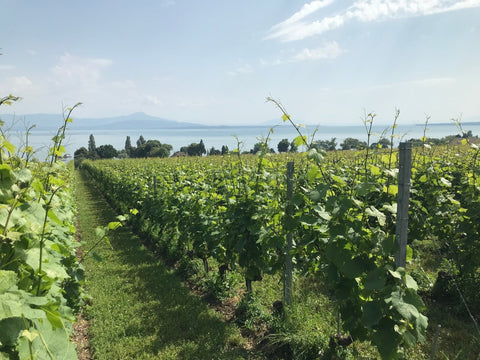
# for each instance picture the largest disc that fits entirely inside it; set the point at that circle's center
(287, 280)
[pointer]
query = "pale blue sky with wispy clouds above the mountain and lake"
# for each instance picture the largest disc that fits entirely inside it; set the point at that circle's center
(329, 62)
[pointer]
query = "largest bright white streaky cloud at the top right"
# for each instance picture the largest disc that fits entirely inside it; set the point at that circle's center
(294, 29)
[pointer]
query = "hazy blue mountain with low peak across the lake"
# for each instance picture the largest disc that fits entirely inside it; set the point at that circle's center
(134, 121)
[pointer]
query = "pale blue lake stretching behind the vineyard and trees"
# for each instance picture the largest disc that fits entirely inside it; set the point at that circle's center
(217, 136)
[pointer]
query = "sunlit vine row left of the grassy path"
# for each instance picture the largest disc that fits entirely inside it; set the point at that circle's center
(40, 277)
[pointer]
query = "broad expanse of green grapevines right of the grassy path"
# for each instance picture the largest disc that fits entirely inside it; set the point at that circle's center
(232, 209)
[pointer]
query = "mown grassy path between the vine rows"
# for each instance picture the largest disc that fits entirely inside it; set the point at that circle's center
(140, 309)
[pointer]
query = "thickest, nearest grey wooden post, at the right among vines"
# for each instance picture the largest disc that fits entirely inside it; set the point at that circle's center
(404, 175)
